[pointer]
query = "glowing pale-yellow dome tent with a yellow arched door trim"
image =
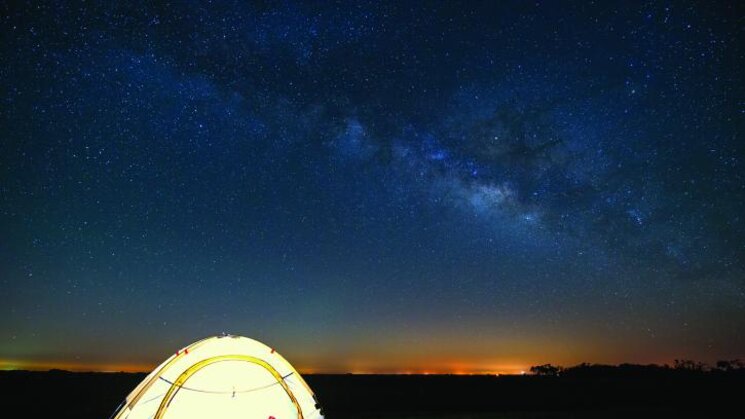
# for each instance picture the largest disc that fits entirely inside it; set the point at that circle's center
(222, 377)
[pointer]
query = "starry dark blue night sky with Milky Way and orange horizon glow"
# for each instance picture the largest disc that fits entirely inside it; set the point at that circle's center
(373, 187)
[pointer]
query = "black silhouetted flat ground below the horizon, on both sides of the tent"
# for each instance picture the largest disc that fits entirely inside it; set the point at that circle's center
(614, 394)
